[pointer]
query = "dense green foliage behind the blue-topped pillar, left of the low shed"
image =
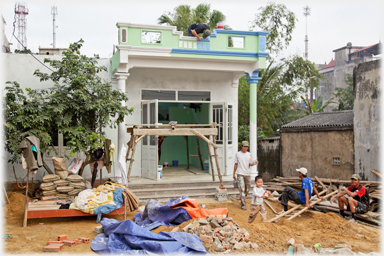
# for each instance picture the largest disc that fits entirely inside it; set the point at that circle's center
(278, 89)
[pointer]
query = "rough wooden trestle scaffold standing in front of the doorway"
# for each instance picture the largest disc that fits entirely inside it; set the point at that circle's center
(203, 131)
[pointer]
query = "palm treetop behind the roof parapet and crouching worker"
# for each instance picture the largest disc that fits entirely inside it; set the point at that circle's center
(183, 16)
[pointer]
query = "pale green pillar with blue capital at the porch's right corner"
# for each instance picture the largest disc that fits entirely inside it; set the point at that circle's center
(253, 80)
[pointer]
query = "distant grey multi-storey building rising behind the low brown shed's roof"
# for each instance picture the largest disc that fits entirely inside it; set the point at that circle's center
(346, 58)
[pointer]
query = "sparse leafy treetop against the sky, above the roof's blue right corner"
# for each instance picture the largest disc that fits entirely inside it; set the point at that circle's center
(279, 22)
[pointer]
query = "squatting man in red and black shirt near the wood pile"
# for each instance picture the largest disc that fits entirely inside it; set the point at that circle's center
(358, 201)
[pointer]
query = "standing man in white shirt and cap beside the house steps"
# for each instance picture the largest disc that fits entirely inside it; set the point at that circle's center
(243, 160)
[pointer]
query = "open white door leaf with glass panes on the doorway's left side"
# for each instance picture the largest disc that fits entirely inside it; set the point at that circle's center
(149, 153)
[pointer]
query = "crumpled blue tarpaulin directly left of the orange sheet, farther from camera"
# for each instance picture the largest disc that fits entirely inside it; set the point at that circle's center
(156, 214)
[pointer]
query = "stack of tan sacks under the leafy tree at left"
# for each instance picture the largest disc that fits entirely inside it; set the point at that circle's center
(53, 187)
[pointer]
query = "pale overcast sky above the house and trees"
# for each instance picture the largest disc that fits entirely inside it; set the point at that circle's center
(331, 24)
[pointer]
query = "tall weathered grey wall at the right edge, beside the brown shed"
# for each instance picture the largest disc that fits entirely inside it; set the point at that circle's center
(367, 102)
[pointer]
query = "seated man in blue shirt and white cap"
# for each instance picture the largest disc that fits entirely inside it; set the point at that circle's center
(303, 196)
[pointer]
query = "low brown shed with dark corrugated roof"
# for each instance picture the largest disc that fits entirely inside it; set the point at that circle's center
(322, 143)
